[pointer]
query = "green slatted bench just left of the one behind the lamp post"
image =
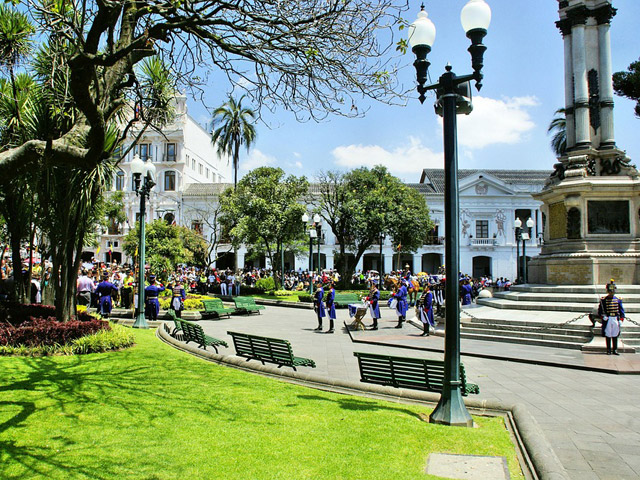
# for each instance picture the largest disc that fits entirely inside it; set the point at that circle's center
(266, 349)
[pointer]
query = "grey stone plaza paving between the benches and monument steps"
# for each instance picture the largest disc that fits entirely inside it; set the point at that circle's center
(591, 419)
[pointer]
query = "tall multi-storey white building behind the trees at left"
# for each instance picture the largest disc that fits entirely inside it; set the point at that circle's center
(183, 155)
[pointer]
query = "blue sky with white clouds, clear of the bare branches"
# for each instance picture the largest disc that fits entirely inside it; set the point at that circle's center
(522, 88)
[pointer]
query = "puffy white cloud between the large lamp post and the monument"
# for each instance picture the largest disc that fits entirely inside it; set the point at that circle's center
(505, 121)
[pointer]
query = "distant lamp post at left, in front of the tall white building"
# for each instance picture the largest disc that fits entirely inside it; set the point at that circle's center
(144, 180)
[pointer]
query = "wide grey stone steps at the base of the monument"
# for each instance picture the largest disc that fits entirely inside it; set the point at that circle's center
(548, 298)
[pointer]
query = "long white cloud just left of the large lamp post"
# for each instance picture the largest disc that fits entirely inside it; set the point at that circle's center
(402, 160)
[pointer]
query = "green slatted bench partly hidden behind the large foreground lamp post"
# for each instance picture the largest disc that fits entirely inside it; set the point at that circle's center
(413, 373)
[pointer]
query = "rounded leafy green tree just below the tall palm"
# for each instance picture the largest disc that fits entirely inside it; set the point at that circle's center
(265, 211)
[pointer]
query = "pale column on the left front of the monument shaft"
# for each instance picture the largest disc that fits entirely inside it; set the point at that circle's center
(581, 90)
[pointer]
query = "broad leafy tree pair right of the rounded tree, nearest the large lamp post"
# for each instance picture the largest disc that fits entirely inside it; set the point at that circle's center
(361, 204)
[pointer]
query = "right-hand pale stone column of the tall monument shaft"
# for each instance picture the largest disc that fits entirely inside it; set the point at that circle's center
(606, 87)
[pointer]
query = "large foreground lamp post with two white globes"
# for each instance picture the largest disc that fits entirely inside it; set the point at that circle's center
(453, 97)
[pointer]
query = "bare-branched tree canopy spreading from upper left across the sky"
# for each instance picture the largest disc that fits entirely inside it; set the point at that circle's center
(312, 57)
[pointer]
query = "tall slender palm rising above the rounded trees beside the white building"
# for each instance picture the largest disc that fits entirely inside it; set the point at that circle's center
(235, 128)
